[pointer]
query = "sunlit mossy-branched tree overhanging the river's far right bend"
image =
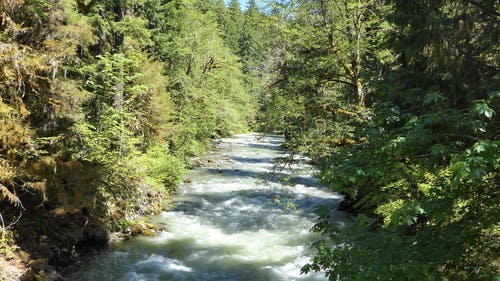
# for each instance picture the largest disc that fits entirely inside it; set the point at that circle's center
(318, 96)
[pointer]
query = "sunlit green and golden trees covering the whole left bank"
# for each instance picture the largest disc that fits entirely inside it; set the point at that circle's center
(103, 102)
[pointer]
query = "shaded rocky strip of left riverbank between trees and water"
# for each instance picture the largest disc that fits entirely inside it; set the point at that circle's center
(42, 246)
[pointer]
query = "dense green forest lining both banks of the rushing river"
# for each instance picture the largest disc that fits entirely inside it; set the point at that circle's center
(104, 104)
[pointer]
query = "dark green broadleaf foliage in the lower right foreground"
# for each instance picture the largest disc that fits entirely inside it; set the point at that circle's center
(431, 190)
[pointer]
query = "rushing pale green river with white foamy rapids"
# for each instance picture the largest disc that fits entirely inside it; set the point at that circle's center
(229, 223)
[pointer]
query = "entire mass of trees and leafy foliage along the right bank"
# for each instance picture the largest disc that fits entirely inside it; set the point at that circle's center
(418, 159)
